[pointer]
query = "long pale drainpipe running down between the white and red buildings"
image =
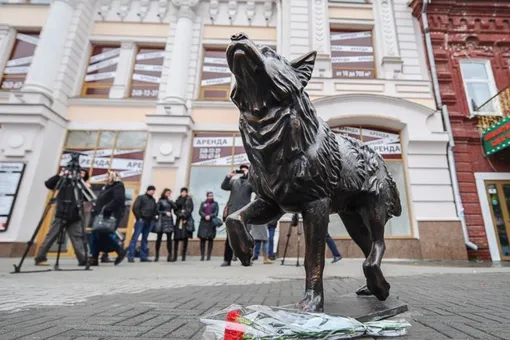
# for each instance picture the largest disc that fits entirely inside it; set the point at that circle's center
(448, 128)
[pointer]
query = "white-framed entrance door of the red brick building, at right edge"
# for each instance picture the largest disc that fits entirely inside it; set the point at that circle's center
(498, 193)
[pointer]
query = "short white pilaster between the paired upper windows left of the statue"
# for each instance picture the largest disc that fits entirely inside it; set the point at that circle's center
(124, 71)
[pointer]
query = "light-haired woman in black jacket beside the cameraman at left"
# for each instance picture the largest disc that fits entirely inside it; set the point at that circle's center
(110, 202)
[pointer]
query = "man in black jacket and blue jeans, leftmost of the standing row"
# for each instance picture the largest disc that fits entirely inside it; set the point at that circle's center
(145, 211)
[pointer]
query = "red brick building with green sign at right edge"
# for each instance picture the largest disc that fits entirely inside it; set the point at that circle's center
(471, 53)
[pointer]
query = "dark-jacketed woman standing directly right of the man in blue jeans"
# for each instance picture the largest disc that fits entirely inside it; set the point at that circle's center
(165, 223)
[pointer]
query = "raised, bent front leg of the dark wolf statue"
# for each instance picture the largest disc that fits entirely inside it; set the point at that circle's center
(259, 211)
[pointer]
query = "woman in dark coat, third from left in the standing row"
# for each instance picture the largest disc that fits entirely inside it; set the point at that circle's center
(184, 225)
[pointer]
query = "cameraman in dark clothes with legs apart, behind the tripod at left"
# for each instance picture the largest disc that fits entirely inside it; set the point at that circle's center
(66, 216)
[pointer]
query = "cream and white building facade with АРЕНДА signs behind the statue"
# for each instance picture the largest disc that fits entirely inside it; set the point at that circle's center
(142, 87)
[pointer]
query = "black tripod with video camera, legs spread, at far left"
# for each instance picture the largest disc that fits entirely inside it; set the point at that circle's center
(80, 191)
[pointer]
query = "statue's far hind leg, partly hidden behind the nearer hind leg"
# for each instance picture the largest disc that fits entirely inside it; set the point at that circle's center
(361, 235)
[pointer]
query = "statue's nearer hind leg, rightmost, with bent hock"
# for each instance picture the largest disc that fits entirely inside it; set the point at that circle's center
(375, 220)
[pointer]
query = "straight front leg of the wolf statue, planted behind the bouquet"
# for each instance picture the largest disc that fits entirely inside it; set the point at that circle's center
(315, 221)
